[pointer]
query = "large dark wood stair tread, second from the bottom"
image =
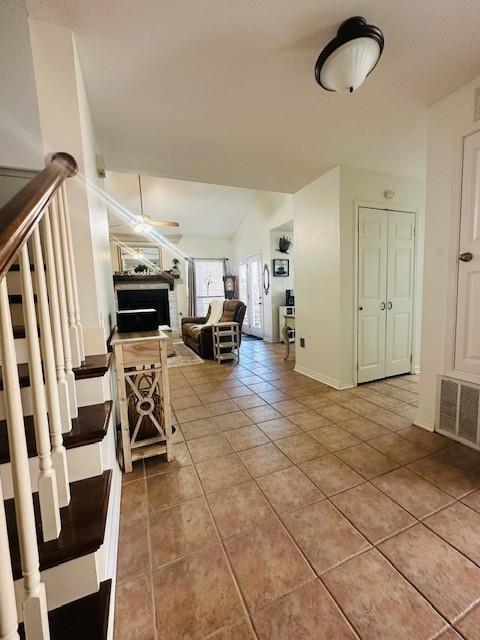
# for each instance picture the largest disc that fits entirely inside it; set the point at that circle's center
(83, 524)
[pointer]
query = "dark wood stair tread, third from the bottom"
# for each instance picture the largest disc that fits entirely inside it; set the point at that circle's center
(91, 426)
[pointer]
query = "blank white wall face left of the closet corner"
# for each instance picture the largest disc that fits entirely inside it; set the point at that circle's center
(317, 278)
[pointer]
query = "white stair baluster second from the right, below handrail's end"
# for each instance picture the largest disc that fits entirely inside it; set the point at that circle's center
(67, 349)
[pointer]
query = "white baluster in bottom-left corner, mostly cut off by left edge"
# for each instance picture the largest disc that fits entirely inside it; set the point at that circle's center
(8, 607)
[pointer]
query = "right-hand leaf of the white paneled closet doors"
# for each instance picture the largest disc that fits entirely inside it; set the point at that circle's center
(400, 285)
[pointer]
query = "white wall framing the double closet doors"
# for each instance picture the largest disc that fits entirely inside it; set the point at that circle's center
(368, 187)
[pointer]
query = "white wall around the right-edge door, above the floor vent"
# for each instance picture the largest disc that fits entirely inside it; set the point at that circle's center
(449, 120)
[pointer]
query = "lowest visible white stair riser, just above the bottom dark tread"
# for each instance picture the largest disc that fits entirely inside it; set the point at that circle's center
(66, 582)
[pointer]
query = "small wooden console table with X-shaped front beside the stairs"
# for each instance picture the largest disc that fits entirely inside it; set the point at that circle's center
(144, 394)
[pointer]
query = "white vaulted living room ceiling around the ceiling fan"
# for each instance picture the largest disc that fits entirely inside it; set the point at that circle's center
(201, 209)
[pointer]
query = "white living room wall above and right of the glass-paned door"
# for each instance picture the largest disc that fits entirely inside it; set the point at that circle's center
(268, 210)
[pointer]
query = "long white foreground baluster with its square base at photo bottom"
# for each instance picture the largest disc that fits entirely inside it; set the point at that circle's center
(35, 603)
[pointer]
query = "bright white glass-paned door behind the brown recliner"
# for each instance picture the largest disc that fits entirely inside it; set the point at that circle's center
(251, 293)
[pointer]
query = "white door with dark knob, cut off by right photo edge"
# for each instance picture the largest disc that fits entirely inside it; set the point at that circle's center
(467, 342)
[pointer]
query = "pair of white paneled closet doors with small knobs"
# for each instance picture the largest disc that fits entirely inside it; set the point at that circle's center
(386, 263)
